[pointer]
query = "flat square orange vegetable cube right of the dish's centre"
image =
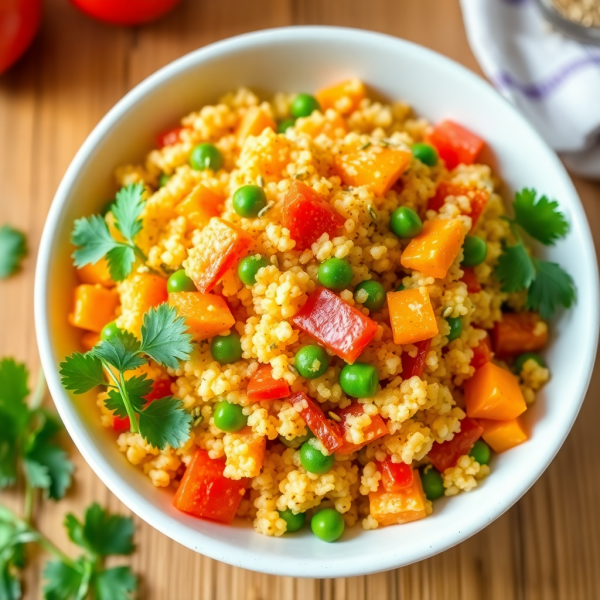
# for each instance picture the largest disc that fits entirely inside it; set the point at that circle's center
(411, 316)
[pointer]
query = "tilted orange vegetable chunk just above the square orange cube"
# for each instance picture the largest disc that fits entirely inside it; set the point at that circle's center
(434, 250)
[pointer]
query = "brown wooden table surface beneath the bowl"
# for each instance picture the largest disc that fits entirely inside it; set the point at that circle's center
(546, 547)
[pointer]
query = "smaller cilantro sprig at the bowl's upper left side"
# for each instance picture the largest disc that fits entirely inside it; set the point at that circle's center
(95, 241)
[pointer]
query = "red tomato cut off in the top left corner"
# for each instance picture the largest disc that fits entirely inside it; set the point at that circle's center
(19, 22)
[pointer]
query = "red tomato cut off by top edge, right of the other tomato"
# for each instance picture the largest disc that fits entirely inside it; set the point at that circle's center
(125, 12)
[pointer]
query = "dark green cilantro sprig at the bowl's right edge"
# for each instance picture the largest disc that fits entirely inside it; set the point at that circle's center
(548, 286)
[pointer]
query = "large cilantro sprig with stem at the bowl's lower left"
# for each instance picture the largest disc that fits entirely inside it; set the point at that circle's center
(164, 339)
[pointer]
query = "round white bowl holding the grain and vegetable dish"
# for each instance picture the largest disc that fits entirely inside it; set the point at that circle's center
(305, 59)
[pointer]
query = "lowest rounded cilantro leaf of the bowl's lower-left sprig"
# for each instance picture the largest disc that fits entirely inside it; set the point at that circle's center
(165, 421)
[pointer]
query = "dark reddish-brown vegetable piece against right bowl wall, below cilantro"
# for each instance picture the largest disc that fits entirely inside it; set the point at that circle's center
(517, 333)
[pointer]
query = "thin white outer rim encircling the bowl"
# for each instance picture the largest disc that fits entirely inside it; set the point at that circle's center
(218, 549)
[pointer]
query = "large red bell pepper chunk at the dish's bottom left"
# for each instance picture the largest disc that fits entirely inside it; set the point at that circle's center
(205, 492)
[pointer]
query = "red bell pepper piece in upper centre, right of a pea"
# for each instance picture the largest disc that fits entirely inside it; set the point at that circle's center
(308, 216)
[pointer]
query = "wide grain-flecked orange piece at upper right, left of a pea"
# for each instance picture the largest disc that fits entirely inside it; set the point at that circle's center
(375, 167)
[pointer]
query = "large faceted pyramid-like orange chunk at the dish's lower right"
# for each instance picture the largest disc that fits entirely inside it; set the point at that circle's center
(493, 393)
